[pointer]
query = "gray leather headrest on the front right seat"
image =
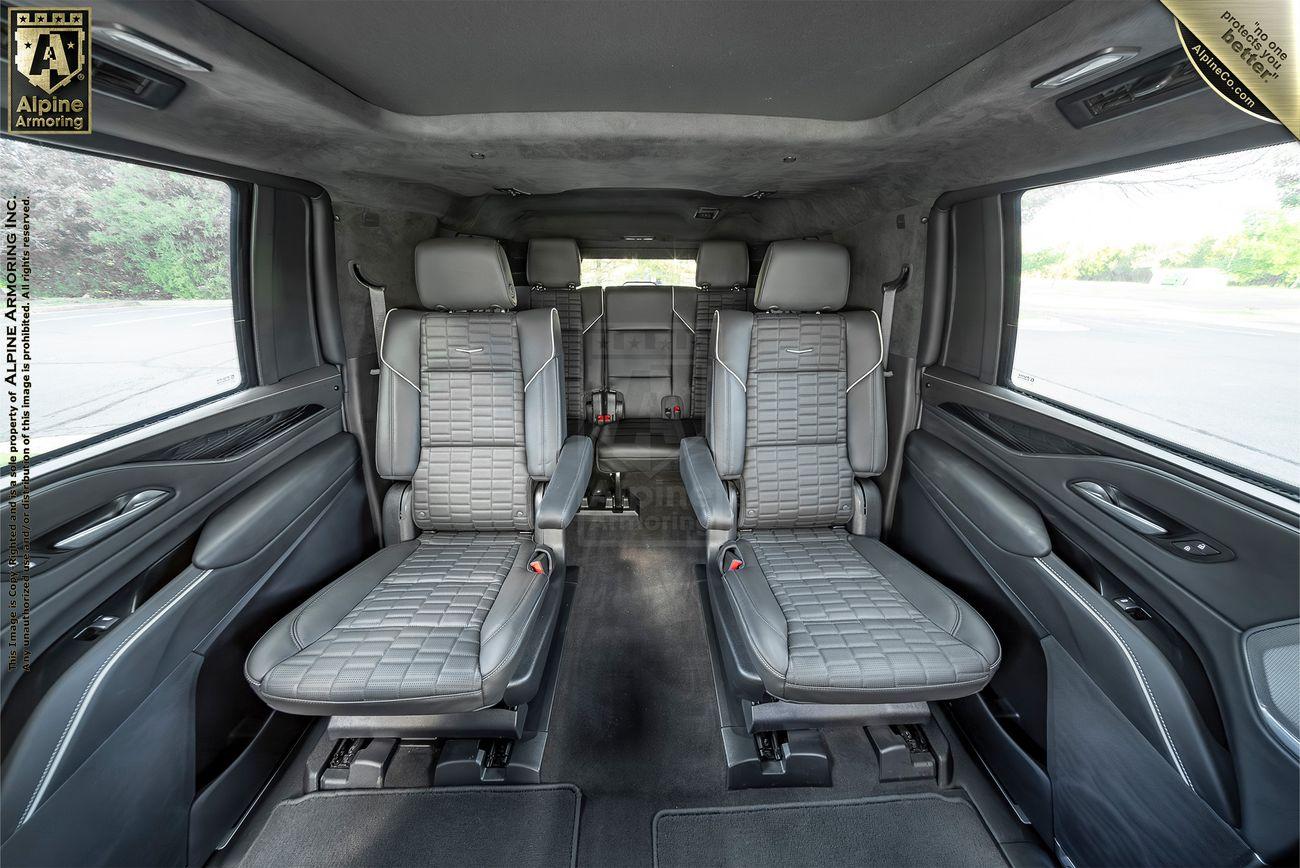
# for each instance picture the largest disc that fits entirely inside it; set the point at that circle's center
(803, 276)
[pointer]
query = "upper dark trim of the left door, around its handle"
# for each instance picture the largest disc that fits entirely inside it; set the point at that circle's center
(68, 587)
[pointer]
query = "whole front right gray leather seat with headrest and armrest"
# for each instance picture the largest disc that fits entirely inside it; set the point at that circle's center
(796, 431)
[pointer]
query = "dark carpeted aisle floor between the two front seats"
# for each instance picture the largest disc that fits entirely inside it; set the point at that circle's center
(636, 722)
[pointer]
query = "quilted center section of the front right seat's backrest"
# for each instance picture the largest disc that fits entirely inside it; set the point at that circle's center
(796, 471)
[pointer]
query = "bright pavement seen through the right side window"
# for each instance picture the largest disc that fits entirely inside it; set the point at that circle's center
(1217, 371)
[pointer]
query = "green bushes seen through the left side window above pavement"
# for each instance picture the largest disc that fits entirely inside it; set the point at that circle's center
(115, 231)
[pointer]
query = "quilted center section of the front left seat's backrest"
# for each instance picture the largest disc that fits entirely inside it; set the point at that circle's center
(473, 474)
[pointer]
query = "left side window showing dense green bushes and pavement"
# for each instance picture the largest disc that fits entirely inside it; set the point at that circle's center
(132, 309)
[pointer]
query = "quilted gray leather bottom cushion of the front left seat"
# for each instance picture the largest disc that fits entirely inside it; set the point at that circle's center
(430, 626)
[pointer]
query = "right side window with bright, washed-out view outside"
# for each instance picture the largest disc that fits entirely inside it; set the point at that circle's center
(1168, 302)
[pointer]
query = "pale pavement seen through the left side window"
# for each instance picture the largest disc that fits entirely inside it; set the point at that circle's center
(98, 368)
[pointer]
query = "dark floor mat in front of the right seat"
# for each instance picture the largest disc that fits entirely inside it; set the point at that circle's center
(904, 831)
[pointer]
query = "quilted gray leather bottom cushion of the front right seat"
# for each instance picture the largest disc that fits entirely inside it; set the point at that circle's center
(833, 618)
